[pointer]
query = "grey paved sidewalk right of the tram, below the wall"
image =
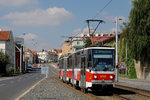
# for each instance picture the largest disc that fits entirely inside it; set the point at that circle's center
(135, 83)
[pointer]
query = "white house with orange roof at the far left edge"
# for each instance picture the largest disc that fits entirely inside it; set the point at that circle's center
(7, 45)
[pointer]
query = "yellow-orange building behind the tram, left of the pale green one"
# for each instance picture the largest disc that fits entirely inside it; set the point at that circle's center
(66, 48)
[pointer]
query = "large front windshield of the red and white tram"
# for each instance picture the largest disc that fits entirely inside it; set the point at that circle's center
(103, 60)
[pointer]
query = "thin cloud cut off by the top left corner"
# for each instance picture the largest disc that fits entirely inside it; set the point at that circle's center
(17, 3)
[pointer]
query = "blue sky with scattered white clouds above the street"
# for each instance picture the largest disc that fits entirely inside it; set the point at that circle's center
(46, 24)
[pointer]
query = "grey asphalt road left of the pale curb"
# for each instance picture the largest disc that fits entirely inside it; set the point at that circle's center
(12, 87)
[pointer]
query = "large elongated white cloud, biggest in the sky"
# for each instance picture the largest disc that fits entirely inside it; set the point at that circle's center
(51, 17)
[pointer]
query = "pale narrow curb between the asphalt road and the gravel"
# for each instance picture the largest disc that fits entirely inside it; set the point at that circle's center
(32, 87)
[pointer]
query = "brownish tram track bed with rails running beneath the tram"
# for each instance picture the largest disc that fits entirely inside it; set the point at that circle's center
(118, 92)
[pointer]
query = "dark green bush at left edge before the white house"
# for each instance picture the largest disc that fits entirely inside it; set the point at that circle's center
(4, 60)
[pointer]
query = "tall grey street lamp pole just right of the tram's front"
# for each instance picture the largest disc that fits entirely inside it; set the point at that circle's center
(117, 72)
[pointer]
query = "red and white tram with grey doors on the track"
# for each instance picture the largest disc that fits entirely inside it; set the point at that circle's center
(89, 68)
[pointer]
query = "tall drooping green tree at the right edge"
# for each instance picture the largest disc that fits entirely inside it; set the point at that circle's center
(139, 30)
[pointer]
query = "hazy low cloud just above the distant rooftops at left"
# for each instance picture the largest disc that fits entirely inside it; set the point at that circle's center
(34, 42)
